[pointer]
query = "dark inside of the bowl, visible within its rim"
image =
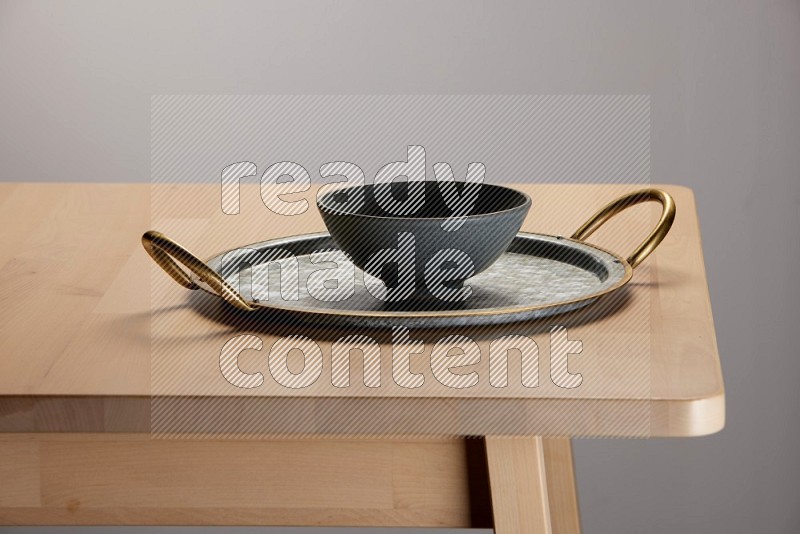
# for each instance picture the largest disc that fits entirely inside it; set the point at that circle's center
(491, 199)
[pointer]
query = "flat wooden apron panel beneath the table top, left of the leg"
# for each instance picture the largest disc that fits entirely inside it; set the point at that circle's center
(130, 479)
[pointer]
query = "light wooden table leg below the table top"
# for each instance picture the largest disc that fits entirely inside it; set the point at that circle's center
(532, 485)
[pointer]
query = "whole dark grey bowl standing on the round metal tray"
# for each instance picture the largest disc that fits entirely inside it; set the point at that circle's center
(362, 228)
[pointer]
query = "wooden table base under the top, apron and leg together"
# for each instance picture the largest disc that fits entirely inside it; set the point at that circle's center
(520, 484)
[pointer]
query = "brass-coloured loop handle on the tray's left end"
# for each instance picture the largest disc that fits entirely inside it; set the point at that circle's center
(163, 249)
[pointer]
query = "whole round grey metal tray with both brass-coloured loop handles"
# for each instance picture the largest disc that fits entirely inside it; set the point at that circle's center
(538, 276)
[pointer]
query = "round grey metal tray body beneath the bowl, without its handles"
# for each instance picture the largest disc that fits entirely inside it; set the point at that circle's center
(538, 276)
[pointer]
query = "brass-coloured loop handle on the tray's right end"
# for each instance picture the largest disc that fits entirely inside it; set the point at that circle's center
(656, 236)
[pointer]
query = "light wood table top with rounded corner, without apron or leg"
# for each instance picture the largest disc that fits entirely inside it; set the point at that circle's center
(87, 319)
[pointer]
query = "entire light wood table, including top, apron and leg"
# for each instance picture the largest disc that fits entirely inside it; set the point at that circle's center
(80, 326)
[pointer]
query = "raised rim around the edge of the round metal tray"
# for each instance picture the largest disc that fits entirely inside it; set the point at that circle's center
(425, 314)
